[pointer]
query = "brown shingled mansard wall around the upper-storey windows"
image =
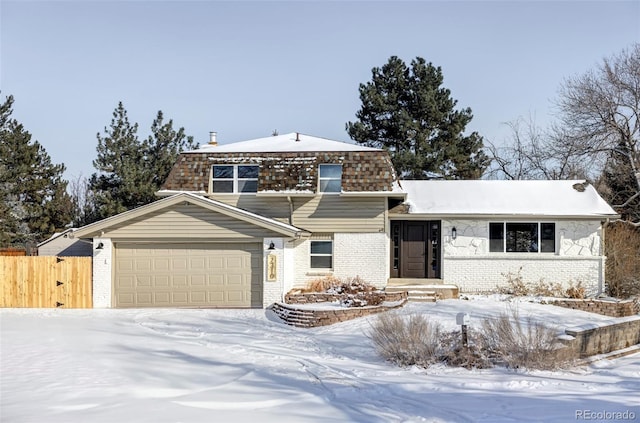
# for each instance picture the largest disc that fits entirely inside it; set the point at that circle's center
(294, 171)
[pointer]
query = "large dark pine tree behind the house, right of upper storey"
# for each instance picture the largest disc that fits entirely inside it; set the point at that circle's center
(408, 112)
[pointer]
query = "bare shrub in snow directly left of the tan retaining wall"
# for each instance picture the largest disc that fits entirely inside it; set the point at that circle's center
(525, 344)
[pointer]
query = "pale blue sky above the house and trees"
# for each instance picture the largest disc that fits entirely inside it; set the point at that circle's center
(247, 68)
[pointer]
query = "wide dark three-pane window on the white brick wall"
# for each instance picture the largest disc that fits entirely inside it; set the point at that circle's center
(522, 237)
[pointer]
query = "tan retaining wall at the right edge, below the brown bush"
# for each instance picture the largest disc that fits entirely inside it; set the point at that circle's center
(601, 340)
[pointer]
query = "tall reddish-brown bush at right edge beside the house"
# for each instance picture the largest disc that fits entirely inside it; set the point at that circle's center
(622, 248)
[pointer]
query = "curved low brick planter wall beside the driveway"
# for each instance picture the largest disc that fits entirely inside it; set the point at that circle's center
(309, 318)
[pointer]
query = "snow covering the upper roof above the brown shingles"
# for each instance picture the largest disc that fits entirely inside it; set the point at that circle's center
(292, 142)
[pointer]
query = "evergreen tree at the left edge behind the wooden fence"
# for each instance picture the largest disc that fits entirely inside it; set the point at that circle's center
(34, 202)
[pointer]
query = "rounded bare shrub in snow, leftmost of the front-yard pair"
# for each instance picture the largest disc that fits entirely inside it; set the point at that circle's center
(406, 341)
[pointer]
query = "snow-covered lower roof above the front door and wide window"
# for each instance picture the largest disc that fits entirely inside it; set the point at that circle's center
(539, 198)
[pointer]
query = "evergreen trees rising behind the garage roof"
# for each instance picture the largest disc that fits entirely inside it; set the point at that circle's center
(130, 171)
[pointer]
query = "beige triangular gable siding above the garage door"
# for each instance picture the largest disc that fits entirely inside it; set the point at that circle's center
(187, 222)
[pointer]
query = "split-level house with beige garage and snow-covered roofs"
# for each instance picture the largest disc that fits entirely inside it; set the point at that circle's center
(241, 224)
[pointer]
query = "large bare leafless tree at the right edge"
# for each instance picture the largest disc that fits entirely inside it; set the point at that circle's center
(599, 116)
